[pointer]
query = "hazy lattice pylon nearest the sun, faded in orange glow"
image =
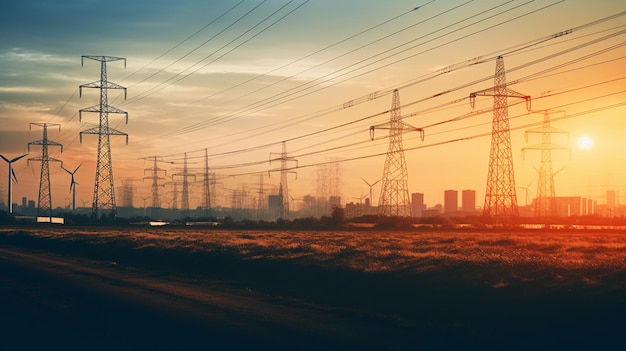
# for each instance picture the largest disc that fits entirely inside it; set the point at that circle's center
(545, 203)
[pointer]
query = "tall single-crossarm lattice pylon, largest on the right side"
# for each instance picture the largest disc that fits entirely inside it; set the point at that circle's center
(500, 196)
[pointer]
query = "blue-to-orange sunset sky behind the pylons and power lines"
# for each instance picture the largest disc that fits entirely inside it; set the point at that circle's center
(239, 78)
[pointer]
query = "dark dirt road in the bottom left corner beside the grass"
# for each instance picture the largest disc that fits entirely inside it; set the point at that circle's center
(59, 302)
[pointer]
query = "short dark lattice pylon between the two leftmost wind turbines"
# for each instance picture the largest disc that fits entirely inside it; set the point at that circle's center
(44, 203)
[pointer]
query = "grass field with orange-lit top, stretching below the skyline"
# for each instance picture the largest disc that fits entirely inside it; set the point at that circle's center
(511, 290)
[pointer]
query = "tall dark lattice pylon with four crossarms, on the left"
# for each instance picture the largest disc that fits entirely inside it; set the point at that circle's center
(104, 193)
